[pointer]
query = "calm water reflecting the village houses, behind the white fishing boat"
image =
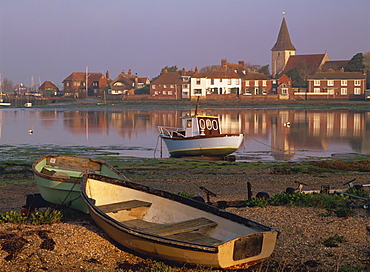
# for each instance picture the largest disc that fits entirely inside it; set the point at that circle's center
(269, 134)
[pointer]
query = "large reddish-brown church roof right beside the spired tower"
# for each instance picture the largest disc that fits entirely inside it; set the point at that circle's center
(313, 61)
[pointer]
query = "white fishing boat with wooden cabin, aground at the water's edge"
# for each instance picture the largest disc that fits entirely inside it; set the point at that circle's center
(200, 135)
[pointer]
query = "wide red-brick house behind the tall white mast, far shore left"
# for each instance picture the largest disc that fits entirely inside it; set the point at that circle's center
(82, 85)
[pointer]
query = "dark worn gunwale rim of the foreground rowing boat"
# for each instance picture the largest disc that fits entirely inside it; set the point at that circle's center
(158, 192)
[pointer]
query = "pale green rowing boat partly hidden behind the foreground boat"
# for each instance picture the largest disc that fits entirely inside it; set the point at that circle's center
(58, 178)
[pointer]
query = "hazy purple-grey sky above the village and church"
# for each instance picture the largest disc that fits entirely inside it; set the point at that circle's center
(50, 39)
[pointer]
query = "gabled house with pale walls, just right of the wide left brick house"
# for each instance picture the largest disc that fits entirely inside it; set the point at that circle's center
(127, 83)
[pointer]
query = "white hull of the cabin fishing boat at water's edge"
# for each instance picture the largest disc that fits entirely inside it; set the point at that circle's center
(212, 146)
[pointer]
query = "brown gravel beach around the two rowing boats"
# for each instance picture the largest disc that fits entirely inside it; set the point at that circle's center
(79, 245)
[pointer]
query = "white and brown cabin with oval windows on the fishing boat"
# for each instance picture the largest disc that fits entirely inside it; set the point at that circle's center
(200, 125)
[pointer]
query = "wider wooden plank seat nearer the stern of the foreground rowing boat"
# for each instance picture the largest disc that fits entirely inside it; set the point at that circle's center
(183, 226)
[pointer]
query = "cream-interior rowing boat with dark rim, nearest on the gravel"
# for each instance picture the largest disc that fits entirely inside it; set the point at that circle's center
(170, 227)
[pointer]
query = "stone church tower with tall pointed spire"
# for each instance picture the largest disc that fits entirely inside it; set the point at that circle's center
(282, 50)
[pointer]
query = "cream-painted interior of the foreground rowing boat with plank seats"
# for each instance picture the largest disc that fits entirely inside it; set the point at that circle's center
(160, 216)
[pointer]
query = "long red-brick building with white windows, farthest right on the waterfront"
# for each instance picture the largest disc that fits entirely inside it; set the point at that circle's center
(337, 84)
